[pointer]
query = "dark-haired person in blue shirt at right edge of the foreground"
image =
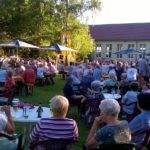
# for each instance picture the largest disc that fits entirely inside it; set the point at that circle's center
(141, 122)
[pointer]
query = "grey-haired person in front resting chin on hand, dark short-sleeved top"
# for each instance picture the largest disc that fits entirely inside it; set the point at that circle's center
(114, 130)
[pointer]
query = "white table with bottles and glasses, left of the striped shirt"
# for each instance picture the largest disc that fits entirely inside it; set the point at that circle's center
(32, 118)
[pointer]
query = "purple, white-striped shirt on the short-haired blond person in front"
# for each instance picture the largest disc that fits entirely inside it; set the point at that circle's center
(55, 128)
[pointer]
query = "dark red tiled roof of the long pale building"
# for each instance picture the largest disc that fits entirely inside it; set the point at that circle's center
(120, 32)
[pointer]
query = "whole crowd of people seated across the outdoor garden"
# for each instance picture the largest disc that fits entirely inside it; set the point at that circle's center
(124, 120)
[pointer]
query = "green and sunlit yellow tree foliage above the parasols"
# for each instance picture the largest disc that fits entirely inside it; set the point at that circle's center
(42, 21)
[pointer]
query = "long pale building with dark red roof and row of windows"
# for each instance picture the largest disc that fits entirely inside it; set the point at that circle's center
(110, 38)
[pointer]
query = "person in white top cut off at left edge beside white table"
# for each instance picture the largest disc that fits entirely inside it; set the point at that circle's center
(6, 122)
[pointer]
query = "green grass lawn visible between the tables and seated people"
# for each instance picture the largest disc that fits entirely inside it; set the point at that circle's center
(42, 95)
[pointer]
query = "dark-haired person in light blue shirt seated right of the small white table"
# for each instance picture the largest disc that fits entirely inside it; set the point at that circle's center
(129, 100)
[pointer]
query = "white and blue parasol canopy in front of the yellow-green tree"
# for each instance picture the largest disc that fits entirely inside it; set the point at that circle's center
(58, 48)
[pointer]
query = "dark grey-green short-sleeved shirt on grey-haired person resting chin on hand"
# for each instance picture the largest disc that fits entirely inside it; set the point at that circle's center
(111, 134)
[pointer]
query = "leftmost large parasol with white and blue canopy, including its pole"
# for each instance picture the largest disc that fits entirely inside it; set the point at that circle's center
(18, 44)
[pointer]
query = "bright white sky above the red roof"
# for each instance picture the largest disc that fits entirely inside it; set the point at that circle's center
(120, 11)
